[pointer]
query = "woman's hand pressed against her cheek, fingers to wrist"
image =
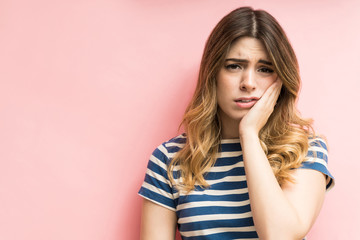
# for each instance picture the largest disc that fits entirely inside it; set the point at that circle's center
(259, 114)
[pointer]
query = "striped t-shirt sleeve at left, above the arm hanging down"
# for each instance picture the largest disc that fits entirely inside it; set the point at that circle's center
(156, 186)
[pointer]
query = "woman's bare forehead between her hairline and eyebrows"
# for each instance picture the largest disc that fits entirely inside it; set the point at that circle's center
(248, 48)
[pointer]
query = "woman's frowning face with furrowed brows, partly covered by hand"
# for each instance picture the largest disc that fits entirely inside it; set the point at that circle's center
(246, 74)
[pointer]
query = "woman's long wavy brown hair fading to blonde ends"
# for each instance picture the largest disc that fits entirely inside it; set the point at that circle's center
(284, 138)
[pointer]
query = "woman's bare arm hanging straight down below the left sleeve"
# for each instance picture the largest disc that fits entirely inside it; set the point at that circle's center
(157, 222)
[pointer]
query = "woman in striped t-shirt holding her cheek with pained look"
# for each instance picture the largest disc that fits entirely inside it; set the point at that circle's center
(248, 166)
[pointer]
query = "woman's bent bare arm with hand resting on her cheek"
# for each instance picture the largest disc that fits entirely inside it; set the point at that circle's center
(286, 212)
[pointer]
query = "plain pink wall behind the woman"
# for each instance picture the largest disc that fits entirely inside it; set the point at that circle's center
(88, 88)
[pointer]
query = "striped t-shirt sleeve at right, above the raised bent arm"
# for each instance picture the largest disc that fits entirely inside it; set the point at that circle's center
(317, 159)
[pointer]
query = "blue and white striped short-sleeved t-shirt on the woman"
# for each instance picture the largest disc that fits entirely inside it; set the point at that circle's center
(221, 211)
